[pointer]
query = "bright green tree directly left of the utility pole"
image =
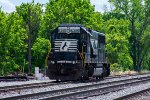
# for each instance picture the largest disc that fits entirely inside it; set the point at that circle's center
(17, 46)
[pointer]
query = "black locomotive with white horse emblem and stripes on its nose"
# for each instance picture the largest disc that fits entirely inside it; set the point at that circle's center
(77, 53)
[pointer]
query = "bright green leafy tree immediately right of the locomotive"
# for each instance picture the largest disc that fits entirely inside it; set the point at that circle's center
(117, 35)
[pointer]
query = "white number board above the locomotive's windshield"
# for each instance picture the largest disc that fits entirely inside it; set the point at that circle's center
(68, 30)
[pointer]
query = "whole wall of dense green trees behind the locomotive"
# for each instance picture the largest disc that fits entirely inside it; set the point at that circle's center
(127, 29)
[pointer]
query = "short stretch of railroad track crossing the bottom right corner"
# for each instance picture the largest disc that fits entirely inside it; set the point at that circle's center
(142, 94)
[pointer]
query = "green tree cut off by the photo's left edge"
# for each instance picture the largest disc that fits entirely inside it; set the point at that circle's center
(4, 38)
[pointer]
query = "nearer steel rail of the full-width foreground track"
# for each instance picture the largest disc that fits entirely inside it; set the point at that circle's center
(95, 91)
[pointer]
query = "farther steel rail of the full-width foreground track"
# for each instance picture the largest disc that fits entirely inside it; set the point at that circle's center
(75, 89)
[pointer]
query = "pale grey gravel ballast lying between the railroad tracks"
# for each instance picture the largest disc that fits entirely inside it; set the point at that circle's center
(62, 86)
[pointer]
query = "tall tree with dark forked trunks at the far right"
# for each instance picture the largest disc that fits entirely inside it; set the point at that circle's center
(138, 13)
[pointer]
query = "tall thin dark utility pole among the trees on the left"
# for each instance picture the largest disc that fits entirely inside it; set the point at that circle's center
(29, 41)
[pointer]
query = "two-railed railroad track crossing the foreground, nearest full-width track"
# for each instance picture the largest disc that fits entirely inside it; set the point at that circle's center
(82, 92)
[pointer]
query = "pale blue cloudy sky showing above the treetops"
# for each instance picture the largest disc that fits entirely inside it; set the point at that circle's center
(9, 5)
